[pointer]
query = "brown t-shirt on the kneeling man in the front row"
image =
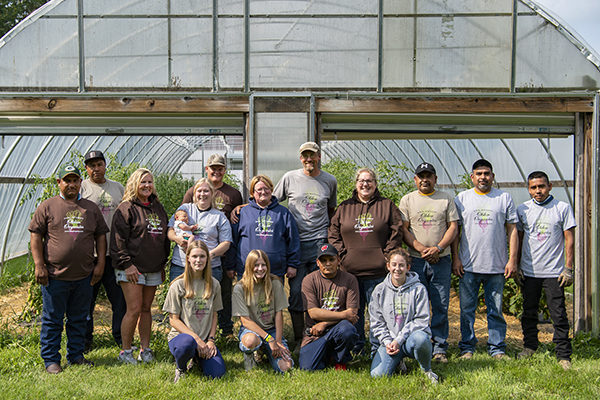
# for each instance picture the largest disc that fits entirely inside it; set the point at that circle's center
(337, 294)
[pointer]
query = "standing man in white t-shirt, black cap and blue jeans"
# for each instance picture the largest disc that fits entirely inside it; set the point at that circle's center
(486, 217)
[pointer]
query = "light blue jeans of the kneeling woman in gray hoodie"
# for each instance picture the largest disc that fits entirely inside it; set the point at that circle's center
(417, 346)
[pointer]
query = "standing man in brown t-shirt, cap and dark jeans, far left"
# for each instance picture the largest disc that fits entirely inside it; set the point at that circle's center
(65, 230)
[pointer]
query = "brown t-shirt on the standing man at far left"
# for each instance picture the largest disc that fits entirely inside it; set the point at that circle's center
(68, 231)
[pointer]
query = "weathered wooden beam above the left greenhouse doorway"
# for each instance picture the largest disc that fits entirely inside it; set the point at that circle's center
(123, 105)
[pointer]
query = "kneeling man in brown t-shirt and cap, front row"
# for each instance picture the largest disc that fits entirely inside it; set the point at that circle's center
(330, 298)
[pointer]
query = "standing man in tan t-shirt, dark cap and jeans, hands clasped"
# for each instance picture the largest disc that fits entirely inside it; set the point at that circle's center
(429, 225)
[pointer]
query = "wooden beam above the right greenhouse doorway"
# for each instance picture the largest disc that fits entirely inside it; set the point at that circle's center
(455, 105)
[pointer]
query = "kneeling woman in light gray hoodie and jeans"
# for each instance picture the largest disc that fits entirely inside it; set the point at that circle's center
(399, 311)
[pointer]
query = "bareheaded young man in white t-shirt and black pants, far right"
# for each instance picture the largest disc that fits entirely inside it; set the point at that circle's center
(546, 231)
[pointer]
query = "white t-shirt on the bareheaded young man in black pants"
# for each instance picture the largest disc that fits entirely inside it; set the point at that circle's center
(543, 227)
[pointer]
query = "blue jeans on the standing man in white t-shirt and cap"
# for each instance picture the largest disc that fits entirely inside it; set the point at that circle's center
(493, 287)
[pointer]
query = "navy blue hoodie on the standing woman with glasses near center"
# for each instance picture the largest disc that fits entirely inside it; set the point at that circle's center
(272, 230)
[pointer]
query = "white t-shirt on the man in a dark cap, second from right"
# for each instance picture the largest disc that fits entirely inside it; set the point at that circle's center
(483, 241)
